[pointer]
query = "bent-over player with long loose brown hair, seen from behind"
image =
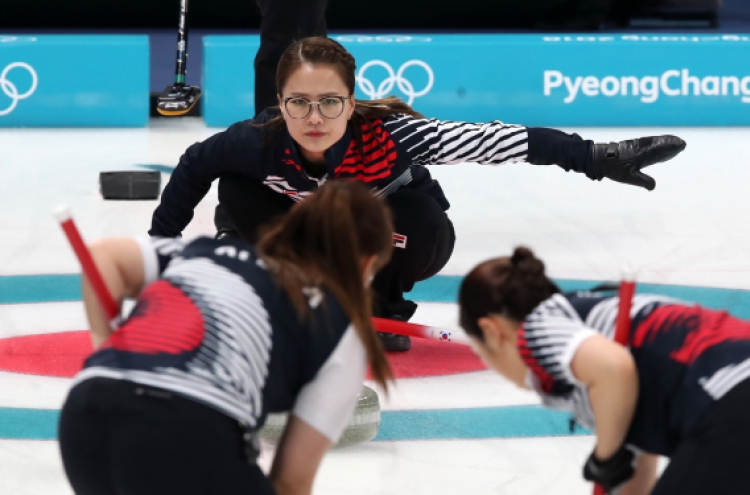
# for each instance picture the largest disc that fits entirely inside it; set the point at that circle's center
(222, 334)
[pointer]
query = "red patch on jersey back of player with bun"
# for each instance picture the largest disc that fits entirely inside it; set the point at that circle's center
(704, 328)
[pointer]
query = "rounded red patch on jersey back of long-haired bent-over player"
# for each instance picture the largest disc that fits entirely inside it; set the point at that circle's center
(166, 321)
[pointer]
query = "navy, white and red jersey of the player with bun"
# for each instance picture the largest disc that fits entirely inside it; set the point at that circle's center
(687, 358)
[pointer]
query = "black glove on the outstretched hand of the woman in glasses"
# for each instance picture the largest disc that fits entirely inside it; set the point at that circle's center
(623, 161)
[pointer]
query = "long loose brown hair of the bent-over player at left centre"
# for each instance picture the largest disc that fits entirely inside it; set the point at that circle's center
(321, 243)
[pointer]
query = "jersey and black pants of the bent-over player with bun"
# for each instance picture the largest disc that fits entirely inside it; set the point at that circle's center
(693, 366)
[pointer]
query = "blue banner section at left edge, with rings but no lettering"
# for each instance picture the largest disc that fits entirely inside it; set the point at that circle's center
(74, 81)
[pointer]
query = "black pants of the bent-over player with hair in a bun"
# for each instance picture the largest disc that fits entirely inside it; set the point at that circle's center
(713, 457)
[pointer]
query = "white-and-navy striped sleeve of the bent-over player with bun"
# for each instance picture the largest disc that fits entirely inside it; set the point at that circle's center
(549, 339)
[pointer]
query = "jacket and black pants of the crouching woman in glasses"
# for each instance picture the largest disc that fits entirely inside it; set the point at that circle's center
(263, 174)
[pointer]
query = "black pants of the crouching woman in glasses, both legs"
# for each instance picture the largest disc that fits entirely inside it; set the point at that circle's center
(248, 204)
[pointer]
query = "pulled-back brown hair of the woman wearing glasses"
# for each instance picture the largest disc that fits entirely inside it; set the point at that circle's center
(325, 51)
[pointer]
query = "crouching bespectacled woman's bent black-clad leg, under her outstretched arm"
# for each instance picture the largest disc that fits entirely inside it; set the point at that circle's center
(423, 243)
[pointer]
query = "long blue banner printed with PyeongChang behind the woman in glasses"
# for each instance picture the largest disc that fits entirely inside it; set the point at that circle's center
(546, 80)
